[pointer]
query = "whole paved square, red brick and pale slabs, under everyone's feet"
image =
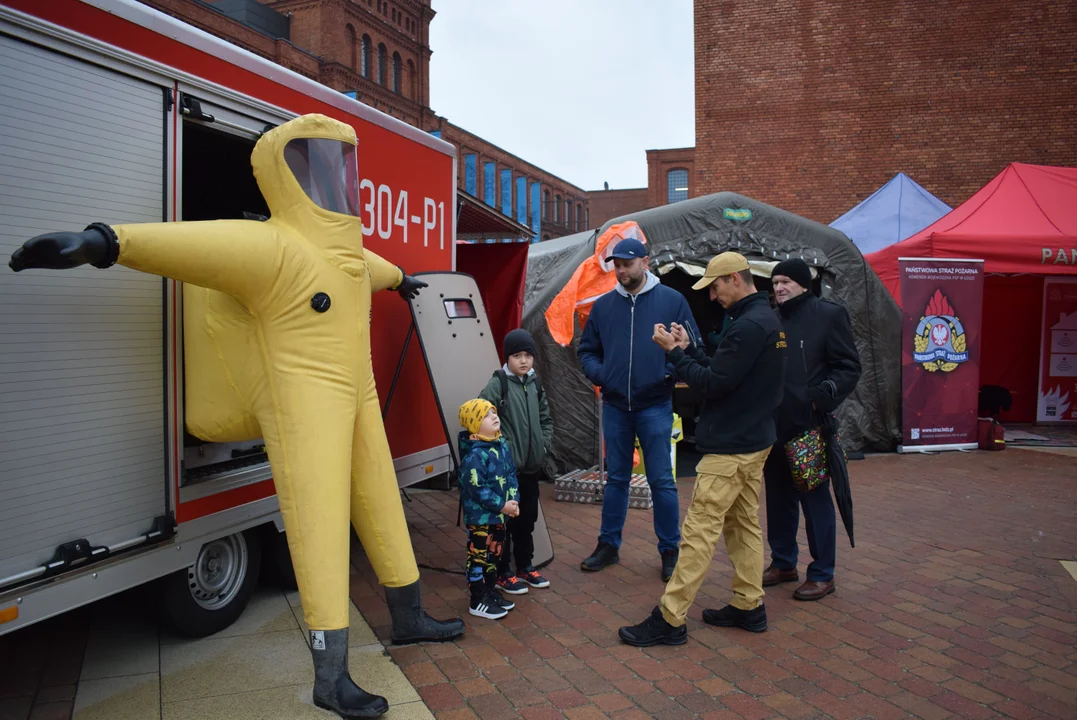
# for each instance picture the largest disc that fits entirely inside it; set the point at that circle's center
(955, 604)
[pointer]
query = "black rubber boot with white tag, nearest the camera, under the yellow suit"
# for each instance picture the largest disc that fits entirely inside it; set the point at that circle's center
(334, 689)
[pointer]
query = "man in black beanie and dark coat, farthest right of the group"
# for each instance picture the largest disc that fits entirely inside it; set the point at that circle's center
(823, 370)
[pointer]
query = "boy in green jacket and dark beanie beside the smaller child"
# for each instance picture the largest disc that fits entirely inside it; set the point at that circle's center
(516, 391)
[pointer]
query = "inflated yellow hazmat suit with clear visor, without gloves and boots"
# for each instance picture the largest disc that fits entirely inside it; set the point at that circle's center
(283, 351)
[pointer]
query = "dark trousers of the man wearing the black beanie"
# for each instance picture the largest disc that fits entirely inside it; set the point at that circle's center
(784, 518)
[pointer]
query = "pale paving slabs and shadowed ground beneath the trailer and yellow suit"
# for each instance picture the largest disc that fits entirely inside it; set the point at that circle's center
(111, 661)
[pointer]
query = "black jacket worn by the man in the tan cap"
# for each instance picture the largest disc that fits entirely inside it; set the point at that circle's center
(743, 384)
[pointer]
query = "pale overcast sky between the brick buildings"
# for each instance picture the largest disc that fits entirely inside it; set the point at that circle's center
(580, 88)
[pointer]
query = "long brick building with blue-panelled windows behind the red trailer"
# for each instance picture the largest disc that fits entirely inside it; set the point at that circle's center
(379, 52)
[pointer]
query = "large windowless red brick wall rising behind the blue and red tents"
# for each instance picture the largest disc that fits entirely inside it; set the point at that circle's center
(812, 107)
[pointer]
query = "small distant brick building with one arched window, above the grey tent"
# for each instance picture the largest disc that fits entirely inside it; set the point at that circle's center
(672, 177)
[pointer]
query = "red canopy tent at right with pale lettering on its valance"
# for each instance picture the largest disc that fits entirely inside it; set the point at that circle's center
(1024, 225)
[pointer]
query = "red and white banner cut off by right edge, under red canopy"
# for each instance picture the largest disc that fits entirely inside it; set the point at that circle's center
(1058, 358)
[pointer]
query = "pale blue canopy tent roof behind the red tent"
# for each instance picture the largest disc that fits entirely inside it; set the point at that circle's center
(898, 210)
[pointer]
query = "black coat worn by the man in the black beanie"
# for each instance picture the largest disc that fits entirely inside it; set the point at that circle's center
(823, 365)
